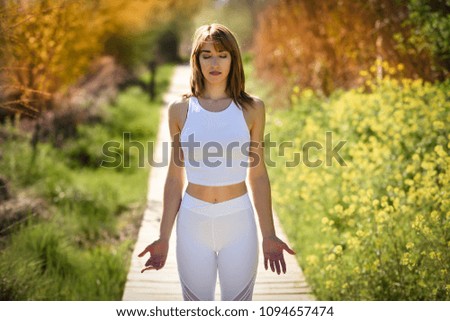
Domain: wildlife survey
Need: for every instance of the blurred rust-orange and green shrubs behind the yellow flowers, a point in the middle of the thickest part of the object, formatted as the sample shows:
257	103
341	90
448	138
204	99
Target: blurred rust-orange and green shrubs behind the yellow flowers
325	44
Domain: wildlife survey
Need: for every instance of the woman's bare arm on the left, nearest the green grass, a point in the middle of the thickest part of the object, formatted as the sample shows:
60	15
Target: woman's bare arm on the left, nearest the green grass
173	189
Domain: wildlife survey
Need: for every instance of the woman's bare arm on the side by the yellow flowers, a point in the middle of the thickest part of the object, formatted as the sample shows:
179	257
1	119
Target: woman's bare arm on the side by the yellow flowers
259	182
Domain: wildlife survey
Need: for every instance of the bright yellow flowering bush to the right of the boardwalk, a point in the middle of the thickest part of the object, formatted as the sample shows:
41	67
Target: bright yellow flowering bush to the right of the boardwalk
376	227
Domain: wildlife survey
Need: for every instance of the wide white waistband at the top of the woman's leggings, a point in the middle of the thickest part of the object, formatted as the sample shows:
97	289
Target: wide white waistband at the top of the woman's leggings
222	208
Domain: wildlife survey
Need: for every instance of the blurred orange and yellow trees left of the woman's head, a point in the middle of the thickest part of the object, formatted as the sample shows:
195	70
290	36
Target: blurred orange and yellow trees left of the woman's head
45	46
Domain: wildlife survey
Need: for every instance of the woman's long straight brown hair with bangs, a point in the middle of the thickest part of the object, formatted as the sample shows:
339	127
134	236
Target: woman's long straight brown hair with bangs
223	39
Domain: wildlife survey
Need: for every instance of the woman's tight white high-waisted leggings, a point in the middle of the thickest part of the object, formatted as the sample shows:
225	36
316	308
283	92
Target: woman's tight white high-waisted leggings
217	237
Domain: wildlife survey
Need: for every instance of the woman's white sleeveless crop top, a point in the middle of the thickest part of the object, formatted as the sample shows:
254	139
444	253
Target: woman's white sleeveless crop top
215	145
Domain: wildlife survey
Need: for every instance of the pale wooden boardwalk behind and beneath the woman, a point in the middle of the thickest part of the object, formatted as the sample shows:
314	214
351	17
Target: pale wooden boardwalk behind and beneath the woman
164	284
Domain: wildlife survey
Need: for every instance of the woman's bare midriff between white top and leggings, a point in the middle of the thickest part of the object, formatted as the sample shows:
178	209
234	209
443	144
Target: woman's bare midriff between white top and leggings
216	194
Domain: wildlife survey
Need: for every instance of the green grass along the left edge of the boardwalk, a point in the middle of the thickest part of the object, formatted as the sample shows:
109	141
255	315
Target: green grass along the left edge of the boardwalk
80	246
